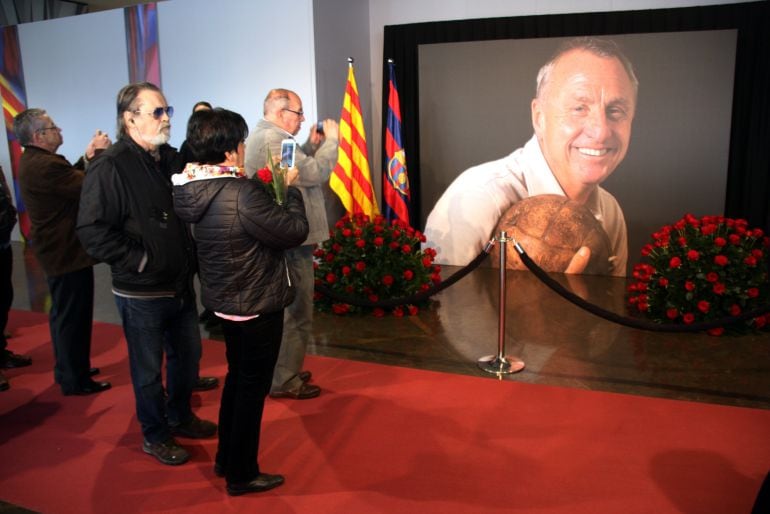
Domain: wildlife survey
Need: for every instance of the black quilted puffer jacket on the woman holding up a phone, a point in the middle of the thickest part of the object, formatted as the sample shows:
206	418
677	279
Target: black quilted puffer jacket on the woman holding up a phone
240	235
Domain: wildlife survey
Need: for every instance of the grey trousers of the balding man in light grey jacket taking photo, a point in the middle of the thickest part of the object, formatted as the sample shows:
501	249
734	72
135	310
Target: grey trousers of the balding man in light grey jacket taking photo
298	322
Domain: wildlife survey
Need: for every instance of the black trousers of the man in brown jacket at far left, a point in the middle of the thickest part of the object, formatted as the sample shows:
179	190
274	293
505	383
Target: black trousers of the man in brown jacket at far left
70	321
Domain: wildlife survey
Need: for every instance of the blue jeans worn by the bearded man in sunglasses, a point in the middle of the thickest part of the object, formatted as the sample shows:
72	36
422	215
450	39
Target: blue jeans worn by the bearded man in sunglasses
153	327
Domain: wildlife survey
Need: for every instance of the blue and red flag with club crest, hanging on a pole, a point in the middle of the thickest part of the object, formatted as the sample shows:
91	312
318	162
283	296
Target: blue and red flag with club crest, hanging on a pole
395	182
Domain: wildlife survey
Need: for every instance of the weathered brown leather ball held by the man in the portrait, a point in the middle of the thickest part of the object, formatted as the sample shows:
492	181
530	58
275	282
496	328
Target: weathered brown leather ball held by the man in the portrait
551	228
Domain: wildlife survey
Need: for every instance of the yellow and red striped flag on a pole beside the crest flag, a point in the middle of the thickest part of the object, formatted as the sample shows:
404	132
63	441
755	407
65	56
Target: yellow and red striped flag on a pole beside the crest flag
351	179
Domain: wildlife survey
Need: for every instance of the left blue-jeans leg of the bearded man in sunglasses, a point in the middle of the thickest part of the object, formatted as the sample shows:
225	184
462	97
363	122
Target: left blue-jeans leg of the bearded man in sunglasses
144	325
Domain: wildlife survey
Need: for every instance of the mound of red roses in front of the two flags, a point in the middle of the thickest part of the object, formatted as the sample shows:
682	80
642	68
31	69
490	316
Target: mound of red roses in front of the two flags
373	260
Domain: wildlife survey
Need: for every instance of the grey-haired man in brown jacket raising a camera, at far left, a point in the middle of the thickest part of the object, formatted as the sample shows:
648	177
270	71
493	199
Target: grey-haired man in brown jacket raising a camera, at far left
50	188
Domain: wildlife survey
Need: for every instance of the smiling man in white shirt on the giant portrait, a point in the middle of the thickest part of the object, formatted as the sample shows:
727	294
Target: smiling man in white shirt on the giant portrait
582	114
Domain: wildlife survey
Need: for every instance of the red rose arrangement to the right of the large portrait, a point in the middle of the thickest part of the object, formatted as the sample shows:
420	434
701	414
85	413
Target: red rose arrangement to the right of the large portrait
702	269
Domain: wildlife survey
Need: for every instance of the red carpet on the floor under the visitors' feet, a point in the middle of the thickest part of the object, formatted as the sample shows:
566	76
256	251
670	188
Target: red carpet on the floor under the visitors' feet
381	439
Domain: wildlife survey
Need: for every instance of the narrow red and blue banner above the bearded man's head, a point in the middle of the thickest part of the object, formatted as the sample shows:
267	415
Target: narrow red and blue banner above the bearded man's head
142	43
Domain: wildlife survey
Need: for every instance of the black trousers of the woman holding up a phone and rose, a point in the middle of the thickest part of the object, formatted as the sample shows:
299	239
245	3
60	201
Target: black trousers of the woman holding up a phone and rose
252	349
